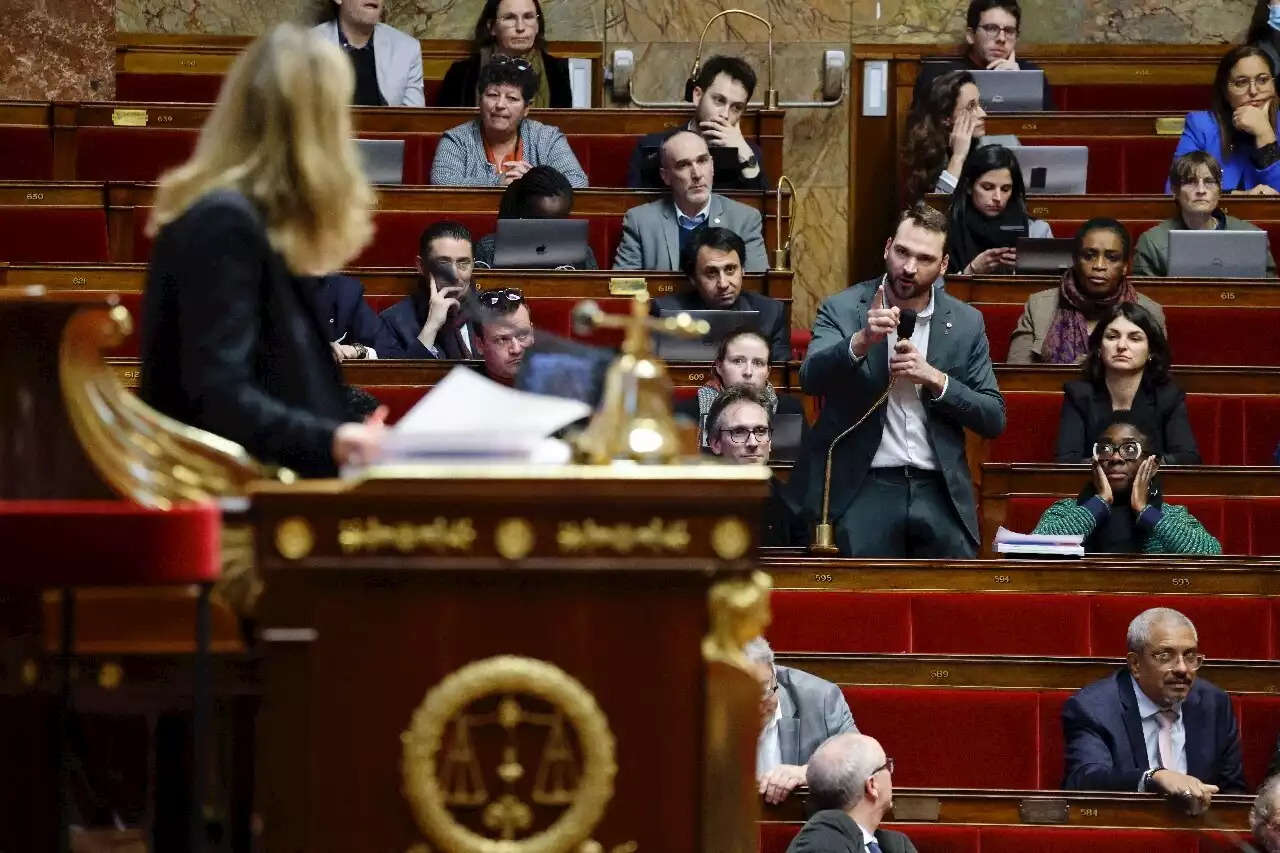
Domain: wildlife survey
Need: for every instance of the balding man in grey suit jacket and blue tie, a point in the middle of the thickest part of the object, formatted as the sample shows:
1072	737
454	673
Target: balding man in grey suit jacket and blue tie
655	236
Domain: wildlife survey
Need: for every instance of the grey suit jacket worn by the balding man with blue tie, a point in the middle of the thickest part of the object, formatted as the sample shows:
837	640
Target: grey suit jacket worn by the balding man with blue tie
651	235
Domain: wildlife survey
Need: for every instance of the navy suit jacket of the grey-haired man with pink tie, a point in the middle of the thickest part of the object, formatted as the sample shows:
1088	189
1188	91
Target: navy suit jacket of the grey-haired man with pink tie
1107	751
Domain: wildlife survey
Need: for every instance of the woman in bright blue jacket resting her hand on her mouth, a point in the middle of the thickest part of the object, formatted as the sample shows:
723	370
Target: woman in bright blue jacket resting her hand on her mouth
1241	129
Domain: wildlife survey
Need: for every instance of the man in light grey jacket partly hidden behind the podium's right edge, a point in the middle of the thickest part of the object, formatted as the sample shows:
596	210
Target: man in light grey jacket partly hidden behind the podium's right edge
798	713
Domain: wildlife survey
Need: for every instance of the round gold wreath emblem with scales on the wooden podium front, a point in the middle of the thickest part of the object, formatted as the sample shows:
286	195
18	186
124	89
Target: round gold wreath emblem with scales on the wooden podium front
500	713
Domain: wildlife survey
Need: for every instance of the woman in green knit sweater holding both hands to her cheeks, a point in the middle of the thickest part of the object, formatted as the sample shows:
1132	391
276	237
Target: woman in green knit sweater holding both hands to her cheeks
1122	510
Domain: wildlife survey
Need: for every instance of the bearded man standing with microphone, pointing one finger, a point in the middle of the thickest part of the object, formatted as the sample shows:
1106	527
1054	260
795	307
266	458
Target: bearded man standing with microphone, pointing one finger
885	469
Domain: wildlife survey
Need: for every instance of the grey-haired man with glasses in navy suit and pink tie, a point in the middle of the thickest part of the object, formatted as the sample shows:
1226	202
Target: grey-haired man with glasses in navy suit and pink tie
1154	727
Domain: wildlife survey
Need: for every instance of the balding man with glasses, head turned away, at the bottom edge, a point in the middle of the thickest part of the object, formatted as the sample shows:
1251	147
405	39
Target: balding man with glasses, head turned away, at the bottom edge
852	784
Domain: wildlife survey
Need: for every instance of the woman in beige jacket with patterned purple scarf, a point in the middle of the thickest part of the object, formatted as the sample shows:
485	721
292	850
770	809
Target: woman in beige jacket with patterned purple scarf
1057	323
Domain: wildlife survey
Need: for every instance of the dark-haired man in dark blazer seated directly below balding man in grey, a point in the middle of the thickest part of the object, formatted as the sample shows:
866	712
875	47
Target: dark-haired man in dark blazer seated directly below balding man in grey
714	266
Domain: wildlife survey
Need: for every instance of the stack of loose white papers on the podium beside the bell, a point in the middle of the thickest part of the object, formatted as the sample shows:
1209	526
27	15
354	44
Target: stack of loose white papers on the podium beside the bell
468	417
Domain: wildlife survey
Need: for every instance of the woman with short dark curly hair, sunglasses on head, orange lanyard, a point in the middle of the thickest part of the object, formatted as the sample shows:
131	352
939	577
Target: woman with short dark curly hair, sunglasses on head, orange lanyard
501	145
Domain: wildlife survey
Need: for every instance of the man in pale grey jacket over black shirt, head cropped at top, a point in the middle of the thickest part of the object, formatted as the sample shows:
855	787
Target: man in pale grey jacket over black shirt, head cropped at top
396	58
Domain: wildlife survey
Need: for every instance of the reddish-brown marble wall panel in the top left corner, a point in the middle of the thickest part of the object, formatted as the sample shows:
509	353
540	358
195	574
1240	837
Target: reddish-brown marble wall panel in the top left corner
58	49
